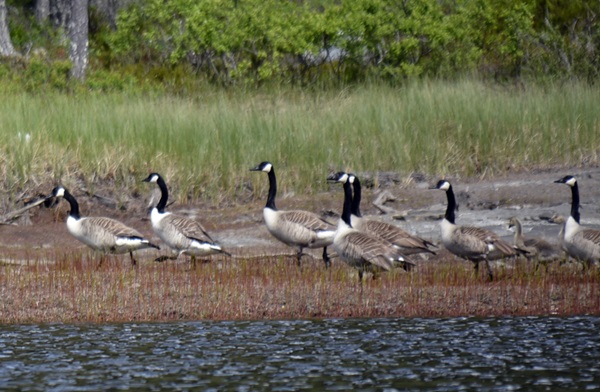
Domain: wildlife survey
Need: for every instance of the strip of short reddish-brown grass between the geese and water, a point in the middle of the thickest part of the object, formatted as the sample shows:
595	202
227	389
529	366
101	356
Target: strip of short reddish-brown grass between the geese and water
72	289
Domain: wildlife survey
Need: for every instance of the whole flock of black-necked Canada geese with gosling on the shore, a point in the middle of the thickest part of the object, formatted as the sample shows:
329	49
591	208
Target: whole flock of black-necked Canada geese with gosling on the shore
366	245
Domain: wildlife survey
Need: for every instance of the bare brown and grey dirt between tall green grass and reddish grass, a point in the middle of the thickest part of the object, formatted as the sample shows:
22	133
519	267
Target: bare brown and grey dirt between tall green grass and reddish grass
531	196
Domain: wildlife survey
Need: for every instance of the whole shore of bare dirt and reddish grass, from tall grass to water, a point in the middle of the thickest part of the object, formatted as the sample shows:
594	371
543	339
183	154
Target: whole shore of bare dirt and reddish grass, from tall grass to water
48	276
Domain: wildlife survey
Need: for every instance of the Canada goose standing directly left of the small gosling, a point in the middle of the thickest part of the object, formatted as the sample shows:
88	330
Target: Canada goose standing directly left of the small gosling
471	243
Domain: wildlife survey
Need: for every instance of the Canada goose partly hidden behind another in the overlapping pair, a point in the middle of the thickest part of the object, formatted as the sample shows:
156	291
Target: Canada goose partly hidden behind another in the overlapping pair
408	244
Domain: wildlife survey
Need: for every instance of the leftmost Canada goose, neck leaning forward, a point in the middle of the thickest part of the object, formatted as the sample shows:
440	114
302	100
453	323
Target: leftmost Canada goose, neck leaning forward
101	234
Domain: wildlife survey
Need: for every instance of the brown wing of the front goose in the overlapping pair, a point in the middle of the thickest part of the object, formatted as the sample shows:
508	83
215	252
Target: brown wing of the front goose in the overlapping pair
370	249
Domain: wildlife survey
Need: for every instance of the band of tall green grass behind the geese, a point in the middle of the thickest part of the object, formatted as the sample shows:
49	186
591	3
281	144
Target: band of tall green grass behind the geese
205	145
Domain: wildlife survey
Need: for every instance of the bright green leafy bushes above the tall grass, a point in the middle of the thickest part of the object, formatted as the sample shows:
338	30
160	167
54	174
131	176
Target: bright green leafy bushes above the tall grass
338	41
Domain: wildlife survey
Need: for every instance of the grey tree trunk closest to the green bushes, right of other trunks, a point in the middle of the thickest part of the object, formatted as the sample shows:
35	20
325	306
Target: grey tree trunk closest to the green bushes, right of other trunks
78	35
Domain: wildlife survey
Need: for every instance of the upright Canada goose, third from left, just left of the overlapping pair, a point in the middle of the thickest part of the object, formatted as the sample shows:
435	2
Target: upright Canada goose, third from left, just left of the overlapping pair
301	229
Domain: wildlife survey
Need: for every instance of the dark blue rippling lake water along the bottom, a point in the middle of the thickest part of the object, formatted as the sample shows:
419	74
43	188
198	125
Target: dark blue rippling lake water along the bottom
499	354
